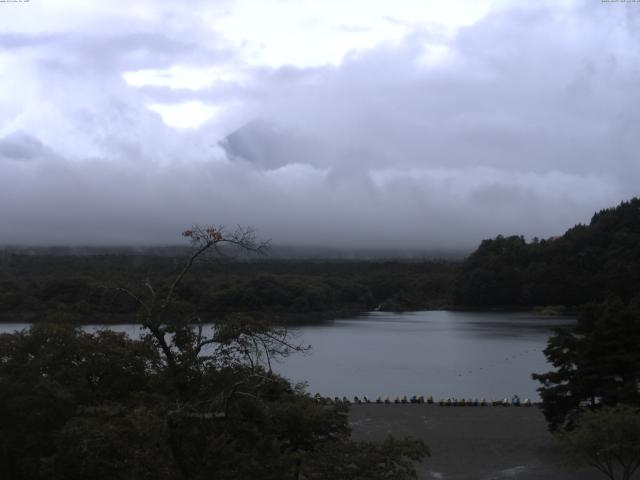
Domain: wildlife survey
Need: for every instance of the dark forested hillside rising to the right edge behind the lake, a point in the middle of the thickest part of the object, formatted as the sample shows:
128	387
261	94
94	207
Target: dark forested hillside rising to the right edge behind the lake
584	265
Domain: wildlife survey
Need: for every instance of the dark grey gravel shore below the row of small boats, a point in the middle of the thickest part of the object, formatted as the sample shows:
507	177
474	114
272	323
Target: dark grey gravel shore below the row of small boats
479	443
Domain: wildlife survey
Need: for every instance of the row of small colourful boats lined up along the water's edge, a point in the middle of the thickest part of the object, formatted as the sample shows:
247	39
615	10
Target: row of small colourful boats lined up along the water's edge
445	402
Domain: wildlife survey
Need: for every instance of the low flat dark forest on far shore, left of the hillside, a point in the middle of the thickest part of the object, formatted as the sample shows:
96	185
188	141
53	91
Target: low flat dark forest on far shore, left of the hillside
35	286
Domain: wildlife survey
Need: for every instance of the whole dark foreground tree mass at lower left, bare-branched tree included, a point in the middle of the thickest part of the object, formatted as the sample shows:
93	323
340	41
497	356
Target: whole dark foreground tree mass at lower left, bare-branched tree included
177	404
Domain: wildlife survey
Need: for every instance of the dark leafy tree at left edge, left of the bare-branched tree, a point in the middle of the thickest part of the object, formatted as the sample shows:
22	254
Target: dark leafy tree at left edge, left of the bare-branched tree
47	373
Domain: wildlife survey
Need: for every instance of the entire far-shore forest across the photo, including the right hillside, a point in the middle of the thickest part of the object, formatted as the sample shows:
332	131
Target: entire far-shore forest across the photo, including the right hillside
586	264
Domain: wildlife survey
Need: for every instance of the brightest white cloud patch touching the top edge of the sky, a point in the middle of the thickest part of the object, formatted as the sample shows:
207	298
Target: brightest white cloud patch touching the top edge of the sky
310	33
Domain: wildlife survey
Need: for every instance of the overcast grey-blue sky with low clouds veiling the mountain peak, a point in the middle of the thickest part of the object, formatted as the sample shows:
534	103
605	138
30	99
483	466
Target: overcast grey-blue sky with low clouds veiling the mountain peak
411	123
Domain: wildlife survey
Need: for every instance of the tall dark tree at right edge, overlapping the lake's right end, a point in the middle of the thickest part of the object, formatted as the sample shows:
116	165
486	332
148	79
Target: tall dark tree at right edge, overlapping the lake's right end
597	362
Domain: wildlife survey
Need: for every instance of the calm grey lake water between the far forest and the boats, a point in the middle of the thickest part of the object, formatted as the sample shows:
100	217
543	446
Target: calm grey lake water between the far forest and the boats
439	353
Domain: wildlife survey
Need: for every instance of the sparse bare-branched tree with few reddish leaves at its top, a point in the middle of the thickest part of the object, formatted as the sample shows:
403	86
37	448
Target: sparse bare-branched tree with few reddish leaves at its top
183	342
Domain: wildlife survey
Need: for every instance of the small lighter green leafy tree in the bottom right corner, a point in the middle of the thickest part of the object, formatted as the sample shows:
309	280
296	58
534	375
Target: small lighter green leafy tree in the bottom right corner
607	439
